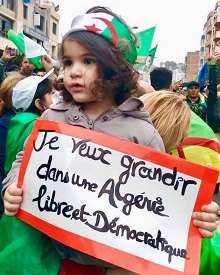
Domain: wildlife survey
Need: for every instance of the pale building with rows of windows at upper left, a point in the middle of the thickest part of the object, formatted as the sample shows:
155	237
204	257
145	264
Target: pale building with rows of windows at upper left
37	20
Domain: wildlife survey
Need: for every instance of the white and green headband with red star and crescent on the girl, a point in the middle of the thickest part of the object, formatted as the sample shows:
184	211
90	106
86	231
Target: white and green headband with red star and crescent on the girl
108	27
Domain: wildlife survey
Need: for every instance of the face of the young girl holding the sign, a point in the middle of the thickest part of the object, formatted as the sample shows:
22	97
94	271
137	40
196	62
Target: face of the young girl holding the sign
80	72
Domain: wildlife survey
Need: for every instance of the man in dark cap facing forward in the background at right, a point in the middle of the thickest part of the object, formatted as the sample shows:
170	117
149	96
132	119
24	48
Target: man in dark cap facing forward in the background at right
194	100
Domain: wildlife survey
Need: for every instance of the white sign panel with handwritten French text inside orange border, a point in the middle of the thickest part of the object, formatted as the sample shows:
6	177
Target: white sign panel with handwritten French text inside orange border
119	200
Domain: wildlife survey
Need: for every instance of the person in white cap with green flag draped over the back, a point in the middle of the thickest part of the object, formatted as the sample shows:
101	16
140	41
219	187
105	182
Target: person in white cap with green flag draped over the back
30	98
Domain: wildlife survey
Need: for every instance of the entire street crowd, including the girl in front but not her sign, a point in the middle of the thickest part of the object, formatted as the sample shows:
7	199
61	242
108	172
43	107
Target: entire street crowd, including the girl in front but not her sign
97	88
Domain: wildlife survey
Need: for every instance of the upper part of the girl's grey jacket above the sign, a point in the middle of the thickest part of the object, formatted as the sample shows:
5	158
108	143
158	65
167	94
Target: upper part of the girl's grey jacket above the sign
126	122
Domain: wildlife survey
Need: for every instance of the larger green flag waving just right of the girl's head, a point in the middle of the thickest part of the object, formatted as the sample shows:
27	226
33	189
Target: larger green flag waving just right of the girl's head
145	39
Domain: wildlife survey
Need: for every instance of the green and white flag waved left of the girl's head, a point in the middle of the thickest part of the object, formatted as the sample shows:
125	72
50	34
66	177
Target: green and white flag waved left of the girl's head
29	48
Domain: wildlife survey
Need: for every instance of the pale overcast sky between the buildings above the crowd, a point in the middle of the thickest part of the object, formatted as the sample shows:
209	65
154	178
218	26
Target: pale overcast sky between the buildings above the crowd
179	23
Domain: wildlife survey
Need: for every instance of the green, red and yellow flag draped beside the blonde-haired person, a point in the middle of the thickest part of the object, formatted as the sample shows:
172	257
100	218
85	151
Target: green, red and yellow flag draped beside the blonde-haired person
201	146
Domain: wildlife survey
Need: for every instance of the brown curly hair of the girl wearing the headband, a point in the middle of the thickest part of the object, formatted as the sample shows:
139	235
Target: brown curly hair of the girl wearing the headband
115	73
